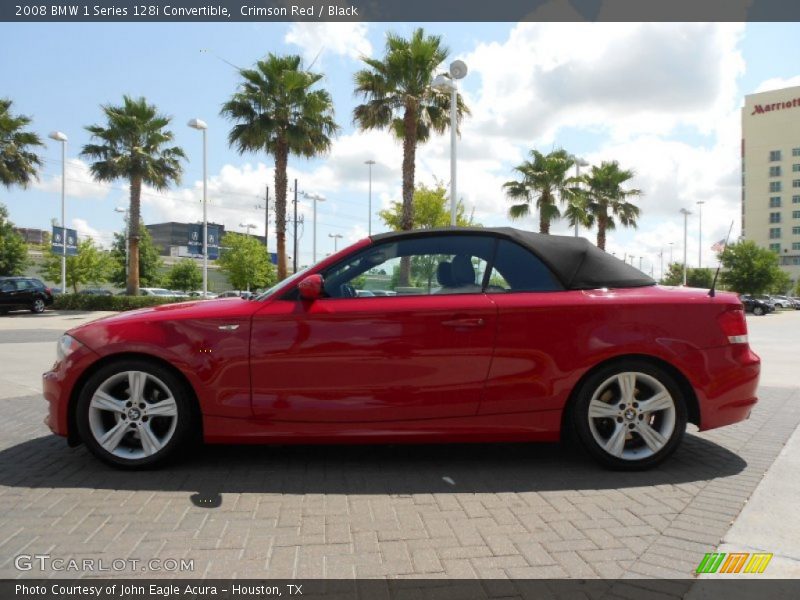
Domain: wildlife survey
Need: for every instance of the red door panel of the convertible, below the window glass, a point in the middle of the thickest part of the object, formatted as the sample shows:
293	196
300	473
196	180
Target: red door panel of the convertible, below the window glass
372	358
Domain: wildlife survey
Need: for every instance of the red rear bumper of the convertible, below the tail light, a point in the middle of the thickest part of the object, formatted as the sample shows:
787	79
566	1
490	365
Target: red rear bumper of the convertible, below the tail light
730	387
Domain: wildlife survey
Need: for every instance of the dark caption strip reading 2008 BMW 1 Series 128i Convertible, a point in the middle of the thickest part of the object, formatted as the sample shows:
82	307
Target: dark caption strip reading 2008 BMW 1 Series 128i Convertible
399	10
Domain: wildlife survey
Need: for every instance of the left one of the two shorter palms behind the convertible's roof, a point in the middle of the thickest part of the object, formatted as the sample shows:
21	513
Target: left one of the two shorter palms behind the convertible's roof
543	181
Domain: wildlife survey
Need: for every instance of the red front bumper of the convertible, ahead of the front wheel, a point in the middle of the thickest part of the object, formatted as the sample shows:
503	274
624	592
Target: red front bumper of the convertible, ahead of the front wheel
58	384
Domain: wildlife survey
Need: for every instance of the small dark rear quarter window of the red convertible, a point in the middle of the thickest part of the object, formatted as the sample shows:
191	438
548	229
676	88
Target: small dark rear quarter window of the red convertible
516	269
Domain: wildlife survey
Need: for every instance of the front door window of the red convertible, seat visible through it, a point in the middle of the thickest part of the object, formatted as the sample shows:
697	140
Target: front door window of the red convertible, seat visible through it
444	264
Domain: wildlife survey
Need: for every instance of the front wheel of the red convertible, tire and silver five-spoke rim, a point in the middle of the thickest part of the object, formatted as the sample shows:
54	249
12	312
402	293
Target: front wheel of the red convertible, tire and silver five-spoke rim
130	434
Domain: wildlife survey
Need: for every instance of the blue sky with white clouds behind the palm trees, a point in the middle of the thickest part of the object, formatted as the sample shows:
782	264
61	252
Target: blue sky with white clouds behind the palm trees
661	98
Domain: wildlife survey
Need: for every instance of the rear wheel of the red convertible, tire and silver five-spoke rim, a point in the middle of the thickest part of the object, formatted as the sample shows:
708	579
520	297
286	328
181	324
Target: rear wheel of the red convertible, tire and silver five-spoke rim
622	434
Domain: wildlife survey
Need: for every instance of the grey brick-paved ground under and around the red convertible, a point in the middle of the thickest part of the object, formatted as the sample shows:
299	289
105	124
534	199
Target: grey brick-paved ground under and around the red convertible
499	510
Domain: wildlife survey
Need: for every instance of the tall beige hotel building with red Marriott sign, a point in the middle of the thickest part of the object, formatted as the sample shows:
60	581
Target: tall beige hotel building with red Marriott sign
771	174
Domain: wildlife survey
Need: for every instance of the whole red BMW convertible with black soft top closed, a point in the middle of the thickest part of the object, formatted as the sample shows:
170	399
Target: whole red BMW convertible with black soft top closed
470	335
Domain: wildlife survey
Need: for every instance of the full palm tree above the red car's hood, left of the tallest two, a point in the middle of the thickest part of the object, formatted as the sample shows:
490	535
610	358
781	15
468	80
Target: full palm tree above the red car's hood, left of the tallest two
133	146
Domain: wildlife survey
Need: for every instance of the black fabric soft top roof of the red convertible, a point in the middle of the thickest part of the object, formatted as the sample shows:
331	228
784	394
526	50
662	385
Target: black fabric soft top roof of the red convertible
577	263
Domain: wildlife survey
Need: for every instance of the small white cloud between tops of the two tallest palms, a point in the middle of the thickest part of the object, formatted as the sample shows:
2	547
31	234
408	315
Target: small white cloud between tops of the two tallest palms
318	39
